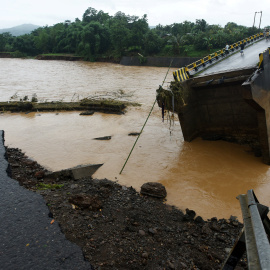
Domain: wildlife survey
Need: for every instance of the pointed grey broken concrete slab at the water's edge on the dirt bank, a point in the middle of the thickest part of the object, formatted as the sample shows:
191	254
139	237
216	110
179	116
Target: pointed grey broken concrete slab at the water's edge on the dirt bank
80	171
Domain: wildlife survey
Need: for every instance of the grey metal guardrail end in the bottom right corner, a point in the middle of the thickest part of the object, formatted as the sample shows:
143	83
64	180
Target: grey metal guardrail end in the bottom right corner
254	237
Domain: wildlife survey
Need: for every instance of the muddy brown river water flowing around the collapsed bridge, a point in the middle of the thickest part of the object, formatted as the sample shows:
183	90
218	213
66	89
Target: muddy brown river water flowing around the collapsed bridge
202	175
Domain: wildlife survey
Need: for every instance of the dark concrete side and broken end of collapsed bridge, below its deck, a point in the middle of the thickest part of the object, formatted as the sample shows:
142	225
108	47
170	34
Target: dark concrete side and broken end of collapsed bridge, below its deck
233	105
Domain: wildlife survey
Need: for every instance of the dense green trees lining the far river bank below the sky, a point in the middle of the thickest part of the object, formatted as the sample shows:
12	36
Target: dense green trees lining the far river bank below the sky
100	35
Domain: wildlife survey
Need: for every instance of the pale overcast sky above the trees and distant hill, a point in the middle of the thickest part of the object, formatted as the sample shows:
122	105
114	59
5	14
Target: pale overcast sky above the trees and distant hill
164	12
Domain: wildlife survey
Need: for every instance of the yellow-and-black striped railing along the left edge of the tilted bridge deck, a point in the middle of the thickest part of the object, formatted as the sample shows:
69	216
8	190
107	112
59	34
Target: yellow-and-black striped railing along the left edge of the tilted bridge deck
195	66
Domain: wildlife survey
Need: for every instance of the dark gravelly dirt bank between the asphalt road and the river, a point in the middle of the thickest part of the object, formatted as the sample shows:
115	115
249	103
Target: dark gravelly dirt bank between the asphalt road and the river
117	228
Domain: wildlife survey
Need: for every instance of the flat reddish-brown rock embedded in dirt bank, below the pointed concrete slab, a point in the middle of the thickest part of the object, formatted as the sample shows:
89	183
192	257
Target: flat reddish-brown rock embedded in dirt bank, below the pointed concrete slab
83	201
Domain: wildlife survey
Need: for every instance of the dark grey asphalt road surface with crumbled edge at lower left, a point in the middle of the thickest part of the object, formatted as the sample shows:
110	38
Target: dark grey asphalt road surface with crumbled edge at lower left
28	240
